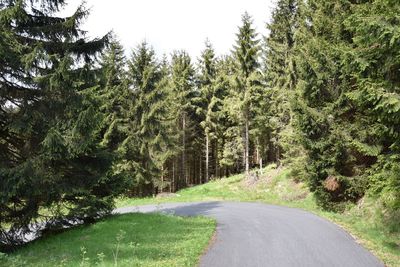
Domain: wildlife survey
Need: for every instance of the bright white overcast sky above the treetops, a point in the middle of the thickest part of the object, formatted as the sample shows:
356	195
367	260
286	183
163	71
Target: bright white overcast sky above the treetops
170	25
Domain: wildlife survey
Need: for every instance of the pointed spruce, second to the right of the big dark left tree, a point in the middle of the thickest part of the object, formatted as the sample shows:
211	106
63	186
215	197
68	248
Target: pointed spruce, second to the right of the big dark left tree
150	128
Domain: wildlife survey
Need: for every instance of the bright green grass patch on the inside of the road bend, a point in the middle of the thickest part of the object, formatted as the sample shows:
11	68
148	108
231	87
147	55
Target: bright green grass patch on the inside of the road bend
121	240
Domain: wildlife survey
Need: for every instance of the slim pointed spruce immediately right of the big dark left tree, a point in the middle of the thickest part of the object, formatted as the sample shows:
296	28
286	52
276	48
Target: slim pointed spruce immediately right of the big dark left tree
115	102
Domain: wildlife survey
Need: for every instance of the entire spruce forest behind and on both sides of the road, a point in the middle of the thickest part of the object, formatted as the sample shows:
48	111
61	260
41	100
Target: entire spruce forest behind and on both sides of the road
83	121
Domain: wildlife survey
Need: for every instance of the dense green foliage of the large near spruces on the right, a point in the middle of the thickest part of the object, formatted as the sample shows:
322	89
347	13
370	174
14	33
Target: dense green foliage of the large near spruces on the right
346	101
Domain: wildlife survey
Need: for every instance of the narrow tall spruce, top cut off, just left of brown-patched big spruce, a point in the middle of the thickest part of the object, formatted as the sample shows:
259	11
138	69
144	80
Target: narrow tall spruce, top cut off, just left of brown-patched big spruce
280	76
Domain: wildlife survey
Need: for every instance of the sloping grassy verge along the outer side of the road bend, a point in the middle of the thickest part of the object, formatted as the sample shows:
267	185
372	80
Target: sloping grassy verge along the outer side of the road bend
276	187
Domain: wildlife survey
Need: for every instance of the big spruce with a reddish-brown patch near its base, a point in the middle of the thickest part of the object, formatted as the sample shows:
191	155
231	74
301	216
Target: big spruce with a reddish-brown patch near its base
323	112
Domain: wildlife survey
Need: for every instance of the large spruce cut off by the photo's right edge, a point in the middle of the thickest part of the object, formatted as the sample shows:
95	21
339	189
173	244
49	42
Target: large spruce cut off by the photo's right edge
372	66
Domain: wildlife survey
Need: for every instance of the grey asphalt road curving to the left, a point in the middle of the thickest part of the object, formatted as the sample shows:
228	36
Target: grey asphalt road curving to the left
255	234
